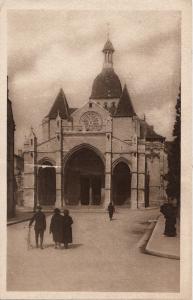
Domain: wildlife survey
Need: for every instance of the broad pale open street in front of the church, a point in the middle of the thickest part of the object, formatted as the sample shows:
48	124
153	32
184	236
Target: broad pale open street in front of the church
104	257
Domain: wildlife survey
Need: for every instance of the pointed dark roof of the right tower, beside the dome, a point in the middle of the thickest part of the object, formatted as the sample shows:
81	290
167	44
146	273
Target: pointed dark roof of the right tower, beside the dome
125	106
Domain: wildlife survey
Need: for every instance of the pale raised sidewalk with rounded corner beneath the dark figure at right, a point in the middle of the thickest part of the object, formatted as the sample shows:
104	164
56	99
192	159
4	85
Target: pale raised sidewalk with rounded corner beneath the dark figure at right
161	245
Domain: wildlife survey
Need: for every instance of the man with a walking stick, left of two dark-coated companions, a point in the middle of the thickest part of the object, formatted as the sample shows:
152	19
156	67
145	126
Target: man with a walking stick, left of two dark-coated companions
40	225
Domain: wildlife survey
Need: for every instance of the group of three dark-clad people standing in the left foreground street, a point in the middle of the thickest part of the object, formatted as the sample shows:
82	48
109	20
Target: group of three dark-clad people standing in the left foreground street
60	227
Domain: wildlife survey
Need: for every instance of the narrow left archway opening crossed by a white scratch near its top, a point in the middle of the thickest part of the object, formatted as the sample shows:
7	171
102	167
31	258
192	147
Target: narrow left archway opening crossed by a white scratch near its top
47	184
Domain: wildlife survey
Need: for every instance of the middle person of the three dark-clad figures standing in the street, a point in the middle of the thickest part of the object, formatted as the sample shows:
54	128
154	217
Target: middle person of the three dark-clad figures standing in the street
56	227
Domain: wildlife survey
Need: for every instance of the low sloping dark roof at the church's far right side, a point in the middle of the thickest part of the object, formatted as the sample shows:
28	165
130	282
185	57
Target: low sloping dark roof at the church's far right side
148	132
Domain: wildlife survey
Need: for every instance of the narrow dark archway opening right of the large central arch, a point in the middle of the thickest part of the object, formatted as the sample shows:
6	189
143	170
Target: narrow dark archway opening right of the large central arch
121	184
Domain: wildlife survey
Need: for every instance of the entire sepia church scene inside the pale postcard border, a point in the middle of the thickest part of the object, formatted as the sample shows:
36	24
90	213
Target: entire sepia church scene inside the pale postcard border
94	104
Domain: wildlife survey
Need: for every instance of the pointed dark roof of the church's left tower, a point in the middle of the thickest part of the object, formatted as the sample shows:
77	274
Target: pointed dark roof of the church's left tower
60	106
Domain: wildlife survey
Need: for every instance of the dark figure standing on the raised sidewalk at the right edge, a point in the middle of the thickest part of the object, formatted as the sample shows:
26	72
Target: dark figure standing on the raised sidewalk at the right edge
170	213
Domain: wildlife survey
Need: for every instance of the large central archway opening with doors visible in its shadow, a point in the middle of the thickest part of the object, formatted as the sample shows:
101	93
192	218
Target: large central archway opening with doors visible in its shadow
84	178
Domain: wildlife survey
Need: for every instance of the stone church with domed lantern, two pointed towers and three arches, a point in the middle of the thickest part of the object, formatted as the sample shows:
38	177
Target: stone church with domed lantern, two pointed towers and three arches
95	154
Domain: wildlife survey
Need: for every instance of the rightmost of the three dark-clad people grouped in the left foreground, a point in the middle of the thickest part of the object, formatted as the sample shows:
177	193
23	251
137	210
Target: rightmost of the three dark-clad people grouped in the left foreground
67	229
